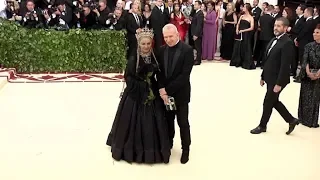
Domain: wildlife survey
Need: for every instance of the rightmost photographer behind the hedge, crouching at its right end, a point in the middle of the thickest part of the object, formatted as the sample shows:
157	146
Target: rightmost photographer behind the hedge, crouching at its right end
116	21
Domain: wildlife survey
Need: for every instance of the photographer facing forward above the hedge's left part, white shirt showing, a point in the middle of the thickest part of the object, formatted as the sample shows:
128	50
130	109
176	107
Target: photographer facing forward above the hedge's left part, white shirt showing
33	18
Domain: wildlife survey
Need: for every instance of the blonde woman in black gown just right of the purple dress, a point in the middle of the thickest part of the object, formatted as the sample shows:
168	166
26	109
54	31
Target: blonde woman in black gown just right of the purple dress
228	31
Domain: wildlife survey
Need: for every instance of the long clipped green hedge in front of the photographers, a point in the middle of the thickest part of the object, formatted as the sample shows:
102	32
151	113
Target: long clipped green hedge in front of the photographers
39	50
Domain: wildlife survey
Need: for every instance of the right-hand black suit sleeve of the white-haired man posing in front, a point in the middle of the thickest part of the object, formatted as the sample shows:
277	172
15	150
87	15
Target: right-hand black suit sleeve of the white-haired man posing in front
183	78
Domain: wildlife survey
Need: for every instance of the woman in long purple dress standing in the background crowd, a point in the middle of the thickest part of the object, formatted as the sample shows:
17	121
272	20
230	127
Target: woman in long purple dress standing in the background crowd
209	39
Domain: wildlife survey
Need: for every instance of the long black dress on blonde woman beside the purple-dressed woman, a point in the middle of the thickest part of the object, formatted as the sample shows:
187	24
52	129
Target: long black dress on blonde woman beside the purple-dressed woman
227	41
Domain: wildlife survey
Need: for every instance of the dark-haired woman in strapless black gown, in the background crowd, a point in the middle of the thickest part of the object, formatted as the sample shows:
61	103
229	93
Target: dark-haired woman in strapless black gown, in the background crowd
242	50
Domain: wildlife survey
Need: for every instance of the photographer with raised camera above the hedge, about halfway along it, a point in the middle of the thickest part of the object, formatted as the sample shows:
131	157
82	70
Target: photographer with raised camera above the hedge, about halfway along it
59	16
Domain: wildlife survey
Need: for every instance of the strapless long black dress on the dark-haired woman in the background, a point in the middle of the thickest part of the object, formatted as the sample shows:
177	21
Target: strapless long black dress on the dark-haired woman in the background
242	50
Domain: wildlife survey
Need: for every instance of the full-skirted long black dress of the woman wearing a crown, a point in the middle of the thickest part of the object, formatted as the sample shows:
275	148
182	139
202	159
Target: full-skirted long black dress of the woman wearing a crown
139	132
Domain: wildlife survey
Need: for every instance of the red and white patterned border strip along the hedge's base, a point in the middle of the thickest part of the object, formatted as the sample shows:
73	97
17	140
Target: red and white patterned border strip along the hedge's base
13	77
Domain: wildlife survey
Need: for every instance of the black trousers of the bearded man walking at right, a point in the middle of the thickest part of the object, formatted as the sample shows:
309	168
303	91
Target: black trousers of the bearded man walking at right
271	101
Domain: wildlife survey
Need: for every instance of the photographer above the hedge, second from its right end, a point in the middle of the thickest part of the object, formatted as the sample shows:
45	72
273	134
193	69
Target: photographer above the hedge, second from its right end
102	12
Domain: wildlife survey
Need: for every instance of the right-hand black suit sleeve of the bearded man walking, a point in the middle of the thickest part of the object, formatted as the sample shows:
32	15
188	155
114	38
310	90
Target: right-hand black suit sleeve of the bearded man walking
286	58
